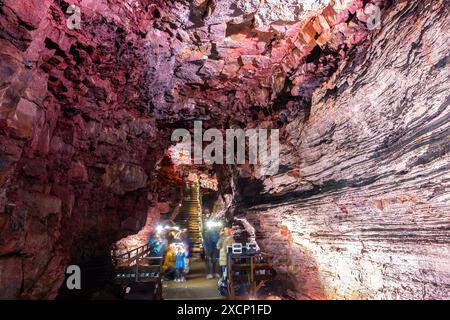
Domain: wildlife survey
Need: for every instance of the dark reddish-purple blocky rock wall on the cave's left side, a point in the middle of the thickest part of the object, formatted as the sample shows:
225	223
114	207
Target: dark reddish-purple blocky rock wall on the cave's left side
78	143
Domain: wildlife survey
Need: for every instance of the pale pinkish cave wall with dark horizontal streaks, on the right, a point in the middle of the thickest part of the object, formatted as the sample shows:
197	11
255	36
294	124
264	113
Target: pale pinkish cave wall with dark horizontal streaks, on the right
360	208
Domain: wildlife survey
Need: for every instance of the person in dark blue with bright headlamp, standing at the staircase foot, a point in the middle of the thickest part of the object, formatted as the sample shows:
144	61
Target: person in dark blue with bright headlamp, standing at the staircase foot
210	238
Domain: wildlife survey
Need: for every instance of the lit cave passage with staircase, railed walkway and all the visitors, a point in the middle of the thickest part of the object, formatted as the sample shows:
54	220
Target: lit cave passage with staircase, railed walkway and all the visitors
193	253
